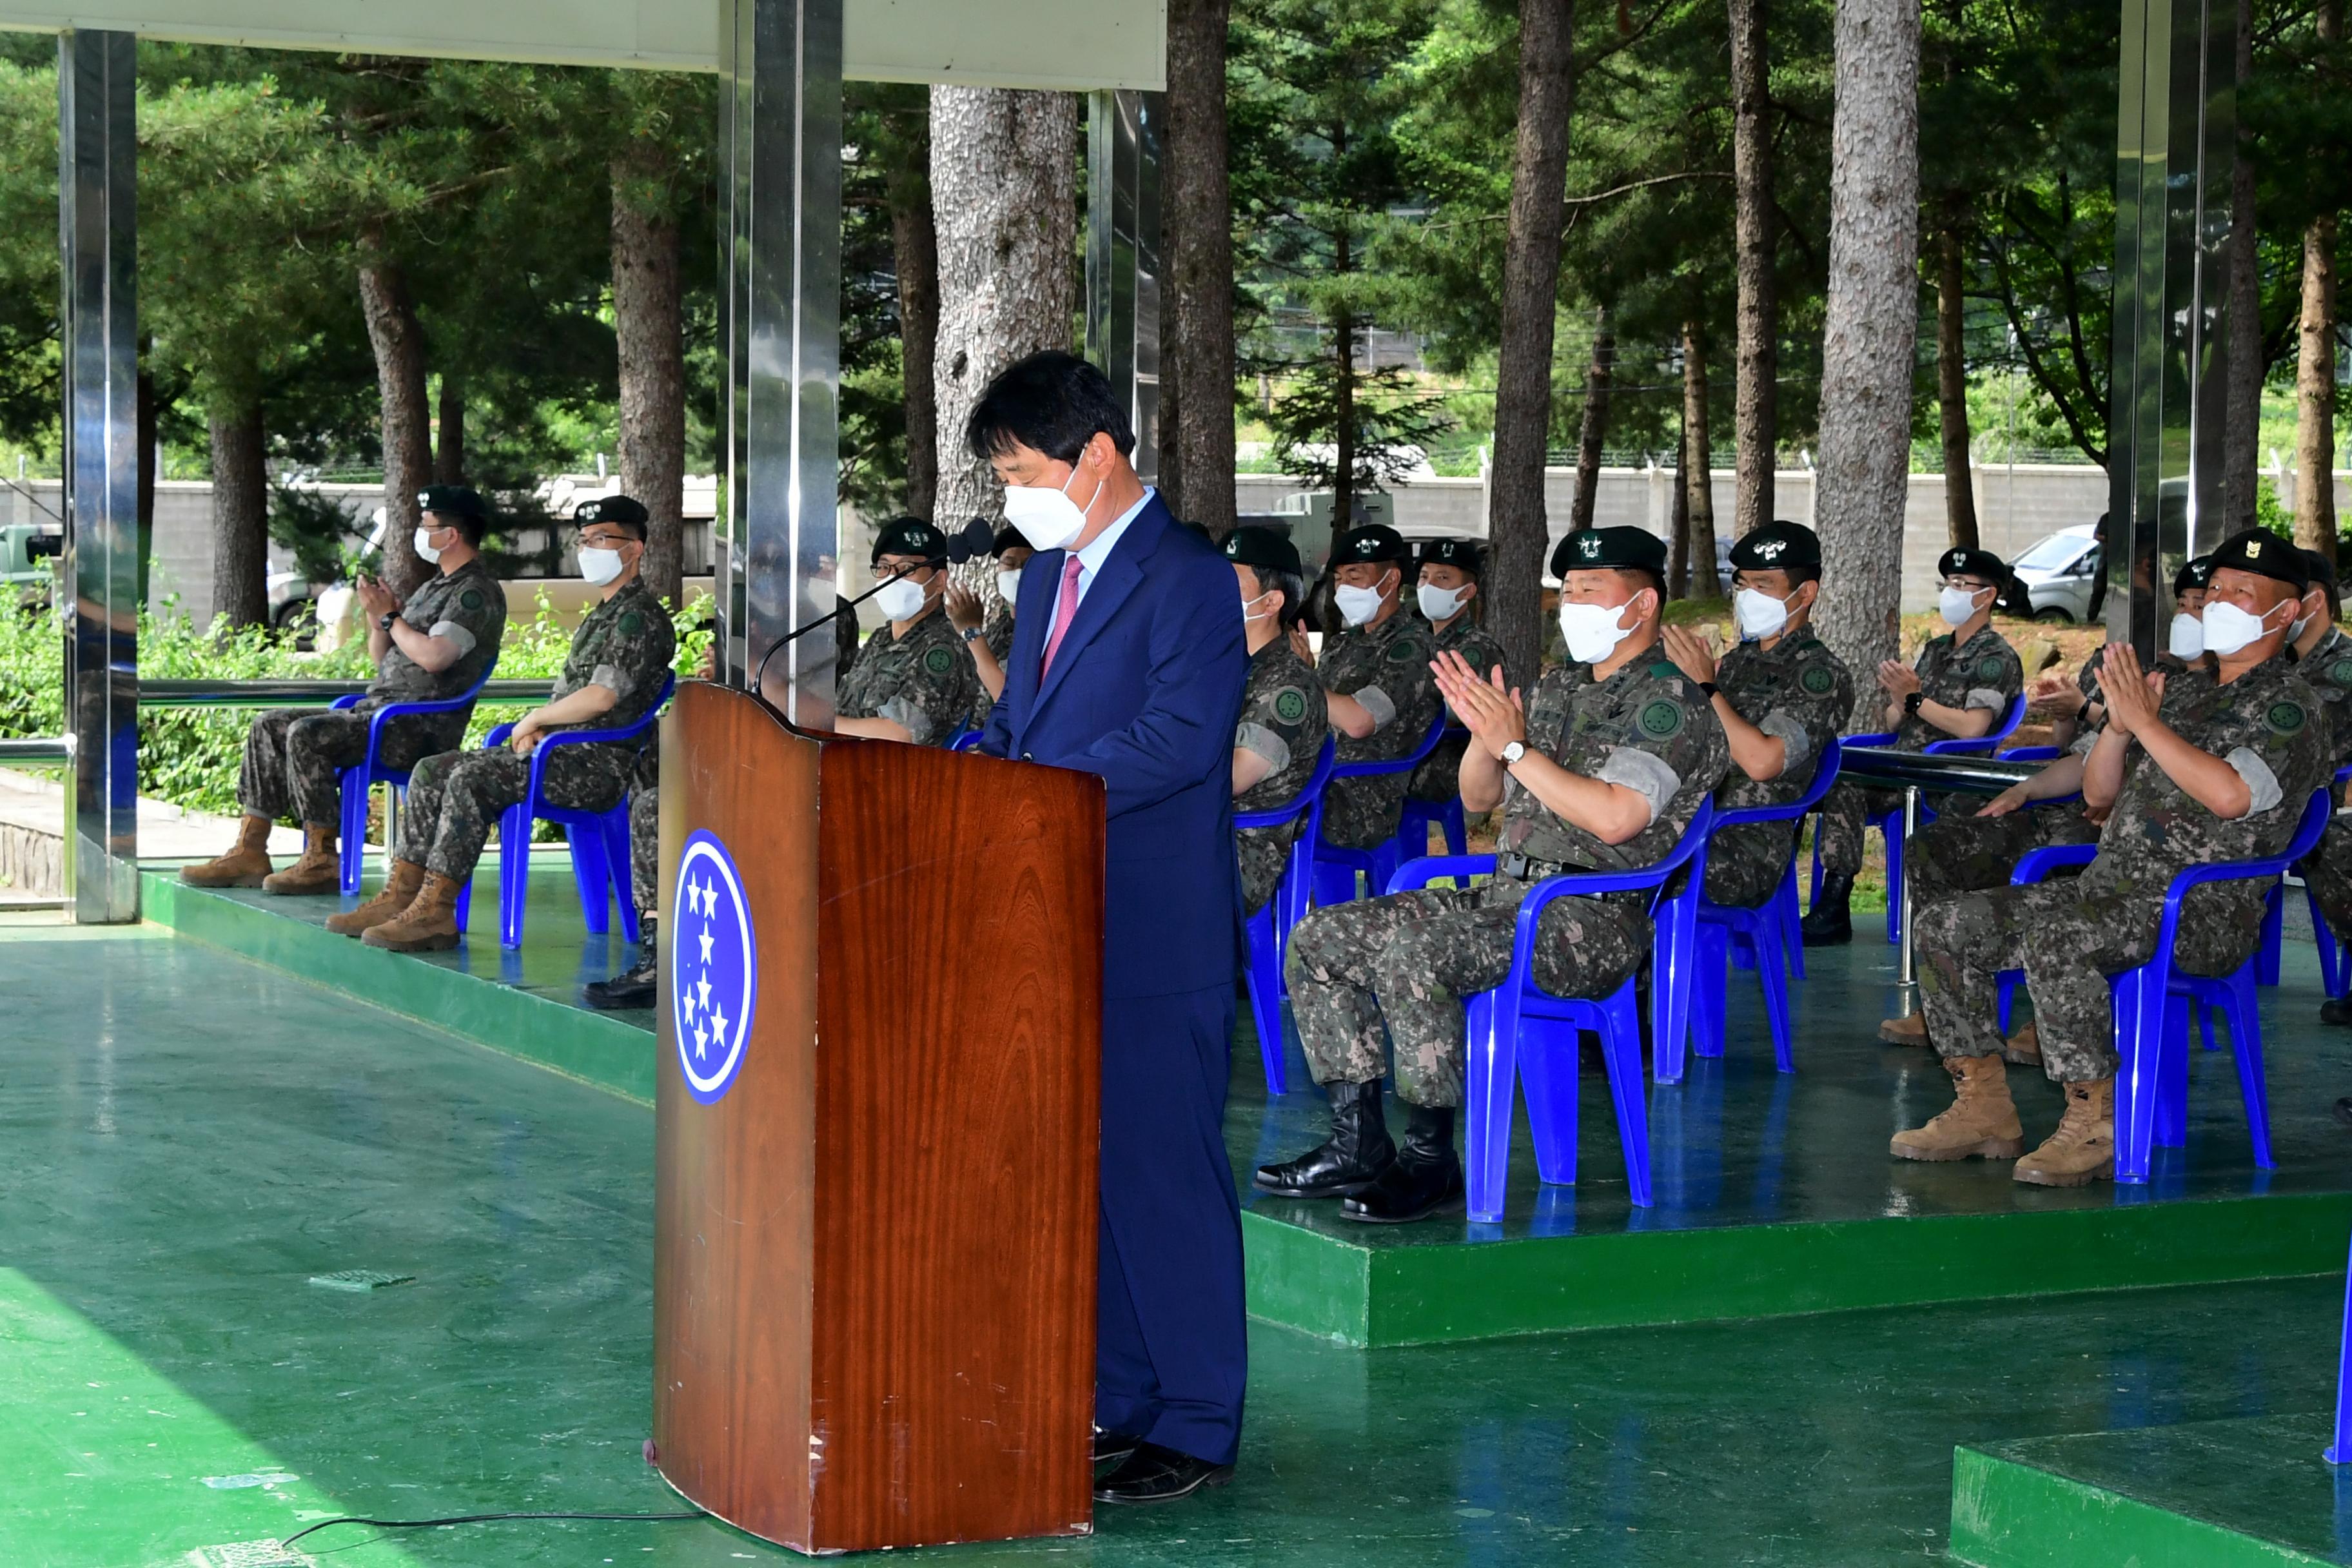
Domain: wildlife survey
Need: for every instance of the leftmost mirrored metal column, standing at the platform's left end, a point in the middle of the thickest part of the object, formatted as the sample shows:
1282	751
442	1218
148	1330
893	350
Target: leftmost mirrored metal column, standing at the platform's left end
98	161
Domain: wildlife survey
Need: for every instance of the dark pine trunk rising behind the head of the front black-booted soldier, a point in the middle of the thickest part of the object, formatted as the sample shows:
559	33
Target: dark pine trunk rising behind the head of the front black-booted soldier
1518	535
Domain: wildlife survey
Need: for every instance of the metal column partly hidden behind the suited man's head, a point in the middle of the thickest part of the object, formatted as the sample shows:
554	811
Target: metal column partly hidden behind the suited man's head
1123	257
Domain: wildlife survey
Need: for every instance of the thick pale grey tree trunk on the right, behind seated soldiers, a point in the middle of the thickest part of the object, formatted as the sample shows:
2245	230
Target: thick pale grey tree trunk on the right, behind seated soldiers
1871	328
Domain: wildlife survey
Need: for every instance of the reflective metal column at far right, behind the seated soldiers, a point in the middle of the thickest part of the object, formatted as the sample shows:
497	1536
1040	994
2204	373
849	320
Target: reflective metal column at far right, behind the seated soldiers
2177	147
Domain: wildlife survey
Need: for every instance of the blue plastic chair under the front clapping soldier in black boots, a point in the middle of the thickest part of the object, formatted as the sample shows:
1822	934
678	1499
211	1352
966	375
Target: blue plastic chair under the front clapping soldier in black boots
1497	1019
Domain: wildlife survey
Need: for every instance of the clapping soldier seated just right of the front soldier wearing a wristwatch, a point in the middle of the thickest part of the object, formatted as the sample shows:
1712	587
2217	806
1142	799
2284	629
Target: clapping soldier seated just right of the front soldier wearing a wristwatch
1782	697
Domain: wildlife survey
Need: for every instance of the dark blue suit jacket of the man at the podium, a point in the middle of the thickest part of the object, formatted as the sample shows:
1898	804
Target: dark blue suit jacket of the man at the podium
1147	692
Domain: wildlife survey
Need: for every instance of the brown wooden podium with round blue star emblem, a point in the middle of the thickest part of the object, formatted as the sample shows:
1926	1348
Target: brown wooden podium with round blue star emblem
874	1247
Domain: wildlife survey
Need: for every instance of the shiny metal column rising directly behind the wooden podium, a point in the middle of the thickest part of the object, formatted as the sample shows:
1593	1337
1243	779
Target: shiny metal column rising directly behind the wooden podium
782	304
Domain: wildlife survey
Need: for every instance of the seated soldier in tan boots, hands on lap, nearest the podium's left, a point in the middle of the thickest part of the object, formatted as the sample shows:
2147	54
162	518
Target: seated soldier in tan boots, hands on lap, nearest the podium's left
613	676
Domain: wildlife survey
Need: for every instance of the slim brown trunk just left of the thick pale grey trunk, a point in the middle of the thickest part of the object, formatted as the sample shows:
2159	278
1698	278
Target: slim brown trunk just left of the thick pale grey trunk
1756	396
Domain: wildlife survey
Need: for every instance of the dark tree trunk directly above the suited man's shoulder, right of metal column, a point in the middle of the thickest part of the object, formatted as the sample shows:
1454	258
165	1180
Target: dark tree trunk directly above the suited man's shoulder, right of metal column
1196	248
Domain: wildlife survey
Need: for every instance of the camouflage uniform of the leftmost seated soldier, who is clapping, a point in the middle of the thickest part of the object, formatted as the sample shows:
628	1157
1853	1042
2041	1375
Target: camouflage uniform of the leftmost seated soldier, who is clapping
293	756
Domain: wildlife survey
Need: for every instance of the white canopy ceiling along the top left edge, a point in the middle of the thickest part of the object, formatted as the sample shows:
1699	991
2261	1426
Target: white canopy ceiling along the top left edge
980	43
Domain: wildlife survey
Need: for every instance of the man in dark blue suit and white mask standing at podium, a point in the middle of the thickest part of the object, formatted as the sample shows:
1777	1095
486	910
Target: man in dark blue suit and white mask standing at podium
1128	664
